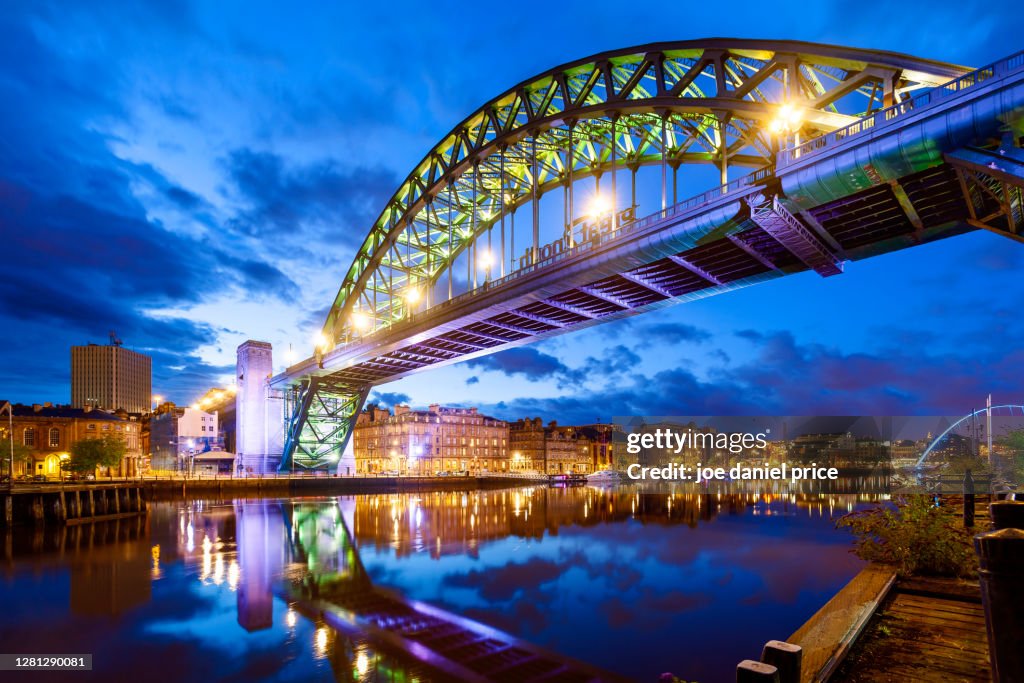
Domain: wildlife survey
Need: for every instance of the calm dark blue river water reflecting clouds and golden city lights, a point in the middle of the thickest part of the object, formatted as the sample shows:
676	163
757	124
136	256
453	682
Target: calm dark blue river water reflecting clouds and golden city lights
635	583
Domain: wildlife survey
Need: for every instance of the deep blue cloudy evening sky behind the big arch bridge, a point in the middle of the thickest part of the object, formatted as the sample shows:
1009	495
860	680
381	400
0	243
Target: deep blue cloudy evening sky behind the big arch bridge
192	176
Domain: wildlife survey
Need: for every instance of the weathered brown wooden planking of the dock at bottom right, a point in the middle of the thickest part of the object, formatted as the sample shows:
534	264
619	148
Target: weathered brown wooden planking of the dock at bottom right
927	630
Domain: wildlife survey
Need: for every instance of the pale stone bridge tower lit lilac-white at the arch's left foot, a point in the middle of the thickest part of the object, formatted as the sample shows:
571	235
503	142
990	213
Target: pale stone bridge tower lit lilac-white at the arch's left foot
260	414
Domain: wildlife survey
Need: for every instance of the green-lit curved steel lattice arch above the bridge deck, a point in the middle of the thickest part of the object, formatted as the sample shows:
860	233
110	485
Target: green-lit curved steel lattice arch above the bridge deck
699	102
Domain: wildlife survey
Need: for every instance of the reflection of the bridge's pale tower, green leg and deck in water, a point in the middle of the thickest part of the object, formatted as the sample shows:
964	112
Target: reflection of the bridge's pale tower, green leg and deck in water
325	579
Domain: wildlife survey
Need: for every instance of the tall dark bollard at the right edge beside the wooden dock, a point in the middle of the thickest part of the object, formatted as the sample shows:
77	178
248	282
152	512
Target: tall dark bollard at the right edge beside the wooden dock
1001	558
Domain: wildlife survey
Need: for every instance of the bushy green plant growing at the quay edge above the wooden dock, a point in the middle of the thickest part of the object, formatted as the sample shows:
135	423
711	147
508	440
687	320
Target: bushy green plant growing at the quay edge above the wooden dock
915	537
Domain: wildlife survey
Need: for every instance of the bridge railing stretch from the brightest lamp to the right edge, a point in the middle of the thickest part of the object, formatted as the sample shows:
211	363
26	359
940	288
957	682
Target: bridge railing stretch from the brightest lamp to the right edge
901	110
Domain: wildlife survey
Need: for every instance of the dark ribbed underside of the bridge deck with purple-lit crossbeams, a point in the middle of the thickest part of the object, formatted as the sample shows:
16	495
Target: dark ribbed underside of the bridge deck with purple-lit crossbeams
866	224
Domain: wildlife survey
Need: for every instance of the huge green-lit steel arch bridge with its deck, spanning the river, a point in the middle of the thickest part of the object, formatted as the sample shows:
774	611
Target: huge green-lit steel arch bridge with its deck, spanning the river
856	153
